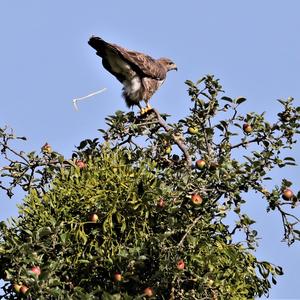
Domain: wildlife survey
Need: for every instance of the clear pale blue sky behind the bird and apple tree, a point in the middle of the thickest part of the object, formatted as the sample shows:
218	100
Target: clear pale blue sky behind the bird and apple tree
252	46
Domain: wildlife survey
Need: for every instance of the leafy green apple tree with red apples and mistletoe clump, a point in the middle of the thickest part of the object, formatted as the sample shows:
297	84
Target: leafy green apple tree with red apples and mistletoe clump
144	213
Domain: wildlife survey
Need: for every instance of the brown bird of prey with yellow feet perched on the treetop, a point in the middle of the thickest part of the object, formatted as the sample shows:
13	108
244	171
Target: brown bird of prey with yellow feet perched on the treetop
140	74
